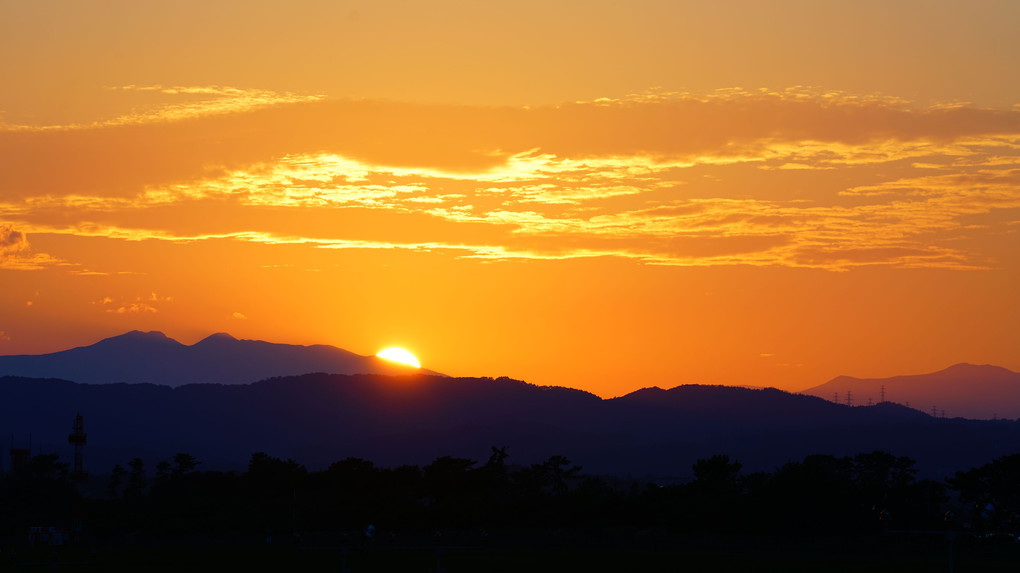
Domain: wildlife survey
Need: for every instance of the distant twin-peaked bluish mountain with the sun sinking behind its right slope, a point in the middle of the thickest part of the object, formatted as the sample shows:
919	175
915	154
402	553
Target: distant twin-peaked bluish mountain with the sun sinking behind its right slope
155	358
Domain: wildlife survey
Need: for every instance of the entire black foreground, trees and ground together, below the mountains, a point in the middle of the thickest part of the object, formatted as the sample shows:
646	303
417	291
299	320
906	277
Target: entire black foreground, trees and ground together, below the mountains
865	513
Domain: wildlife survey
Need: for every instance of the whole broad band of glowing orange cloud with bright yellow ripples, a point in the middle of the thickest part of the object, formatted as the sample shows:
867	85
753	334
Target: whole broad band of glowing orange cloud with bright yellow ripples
799	178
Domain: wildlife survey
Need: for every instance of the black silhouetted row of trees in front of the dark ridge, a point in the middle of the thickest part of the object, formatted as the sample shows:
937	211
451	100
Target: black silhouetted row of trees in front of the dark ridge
821	495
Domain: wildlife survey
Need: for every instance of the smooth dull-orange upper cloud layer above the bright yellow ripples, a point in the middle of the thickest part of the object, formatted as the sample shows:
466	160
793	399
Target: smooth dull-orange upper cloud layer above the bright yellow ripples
455	140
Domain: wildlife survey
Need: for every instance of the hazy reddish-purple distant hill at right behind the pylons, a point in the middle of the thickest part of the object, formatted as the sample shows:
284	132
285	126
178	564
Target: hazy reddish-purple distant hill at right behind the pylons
965	391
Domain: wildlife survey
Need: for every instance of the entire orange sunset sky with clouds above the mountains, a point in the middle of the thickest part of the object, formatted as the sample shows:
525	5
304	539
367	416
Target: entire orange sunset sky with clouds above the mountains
592	194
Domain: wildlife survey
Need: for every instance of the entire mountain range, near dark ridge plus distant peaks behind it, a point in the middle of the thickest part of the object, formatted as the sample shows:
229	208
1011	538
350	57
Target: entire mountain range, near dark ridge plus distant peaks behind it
144	395
